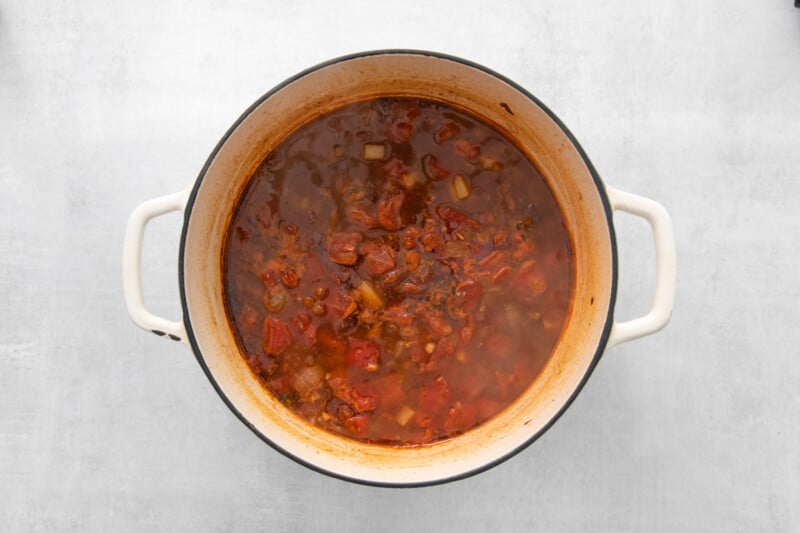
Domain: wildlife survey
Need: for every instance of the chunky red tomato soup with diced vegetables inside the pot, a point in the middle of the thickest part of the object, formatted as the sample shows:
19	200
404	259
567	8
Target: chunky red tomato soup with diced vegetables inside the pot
397	272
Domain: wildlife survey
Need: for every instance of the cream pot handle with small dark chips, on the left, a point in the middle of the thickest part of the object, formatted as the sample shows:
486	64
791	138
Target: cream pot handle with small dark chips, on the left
132	264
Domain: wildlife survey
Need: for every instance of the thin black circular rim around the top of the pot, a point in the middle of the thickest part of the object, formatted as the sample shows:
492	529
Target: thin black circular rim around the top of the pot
614	270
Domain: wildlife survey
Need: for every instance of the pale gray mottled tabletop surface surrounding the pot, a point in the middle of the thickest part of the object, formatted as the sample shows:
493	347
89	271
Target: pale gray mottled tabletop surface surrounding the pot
695	104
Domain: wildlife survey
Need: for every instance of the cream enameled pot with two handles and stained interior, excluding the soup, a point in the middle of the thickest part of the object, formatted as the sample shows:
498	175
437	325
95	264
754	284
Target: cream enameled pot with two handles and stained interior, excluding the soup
587	205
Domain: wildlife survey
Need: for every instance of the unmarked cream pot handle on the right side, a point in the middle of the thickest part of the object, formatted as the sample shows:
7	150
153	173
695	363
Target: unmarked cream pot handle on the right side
664	298
